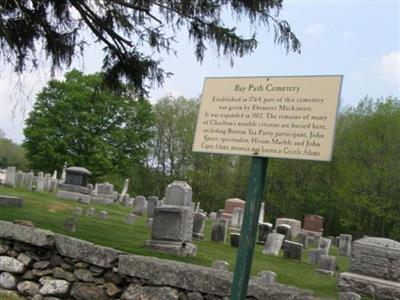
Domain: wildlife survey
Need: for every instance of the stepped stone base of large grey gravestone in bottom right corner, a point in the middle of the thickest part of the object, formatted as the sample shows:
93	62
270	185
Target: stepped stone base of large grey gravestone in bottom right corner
369	286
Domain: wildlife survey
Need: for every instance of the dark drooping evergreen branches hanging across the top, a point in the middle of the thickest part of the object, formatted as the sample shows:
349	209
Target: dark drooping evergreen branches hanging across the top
127	27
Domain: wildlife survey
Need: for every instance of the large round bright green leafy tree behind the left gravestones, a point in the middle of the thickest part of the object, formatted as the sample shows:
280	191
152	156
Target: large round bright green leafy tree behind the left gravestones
78	122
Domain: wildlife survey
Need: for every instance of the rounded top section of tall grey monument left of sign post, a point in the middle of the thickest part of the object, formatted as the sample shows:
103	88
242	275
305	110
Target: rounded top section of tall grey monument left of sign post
178	193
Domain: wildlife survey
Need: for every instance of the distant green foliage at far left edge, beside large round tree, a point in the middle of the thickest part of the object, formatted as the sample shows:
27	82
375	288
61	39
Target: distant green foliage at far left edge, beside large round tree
11	154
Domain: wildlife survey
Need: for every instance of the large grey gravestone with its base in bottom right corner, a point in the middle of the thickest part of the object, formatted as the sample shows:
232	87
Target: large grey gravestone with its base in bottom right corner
374	269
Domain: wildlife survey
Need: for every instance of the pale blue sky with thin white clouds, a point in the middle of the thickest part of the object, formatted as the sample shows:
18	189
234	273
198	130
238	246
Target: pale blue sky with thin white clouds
357	39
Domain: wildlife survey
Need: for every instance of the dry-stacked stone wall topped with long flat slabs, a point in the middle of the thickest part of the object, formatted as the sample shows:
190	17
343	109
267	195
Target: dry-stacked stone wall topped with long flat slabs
39	264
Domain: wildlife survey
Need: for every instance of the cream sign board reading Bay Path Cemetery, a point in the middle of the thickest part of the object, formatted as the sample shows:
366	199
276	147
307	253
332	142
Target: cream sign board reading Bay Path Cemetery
284	117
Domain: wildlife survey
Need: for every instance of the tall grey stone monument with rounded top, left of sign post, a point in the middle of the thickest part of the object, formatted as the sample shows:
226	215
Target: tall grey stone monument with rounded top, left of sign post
172	227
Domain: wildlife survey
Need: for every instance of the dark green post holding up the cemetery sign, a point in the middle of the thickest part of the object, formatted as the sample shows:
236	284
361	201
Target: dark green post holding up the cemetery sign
255	191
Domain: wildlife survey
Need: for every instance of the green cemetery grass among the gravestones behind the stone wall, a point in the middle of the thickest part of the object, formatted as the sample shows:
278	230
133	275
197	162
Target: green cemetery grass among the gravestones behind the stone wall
49	212
